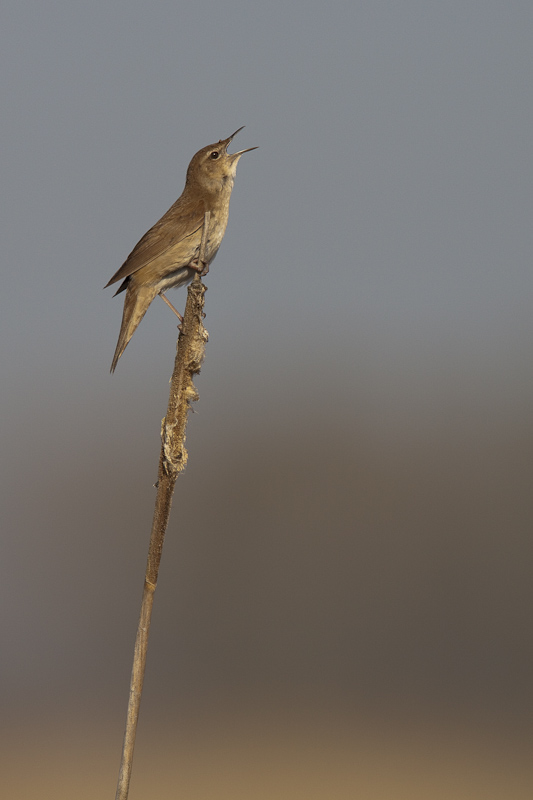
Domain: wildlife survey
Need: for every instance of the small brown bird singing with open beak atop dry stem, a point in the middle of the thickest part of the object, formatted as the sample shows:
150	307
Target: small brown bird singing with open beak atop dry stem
167	256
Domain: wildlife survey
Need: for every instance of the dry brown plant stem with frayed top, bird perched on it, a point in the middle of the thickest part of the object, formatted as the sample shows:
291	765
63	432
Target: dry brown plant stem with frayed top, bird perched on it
172	461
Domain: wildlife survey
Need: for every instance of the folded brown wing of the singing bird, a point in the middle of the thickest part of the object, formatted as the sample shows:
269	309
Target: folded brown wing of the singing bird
183	219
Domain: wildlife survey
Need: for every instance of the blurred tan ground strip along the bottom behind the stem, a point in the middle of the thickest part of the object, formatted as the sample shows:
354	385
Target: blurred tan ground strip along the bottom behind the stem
264	755
